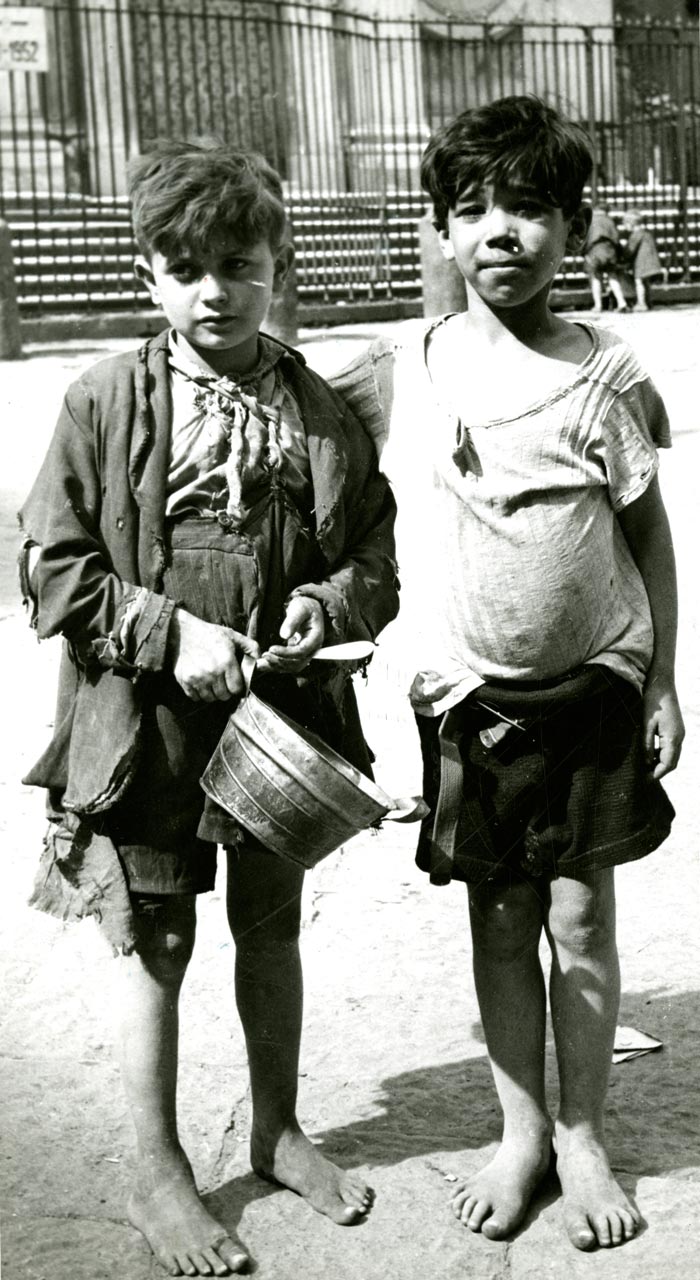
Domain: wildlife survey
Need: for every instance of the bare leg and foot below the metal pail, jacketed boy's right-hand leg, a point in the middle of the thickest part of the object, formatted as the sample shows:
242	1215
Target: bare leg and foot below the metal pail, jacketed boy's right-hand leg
264	902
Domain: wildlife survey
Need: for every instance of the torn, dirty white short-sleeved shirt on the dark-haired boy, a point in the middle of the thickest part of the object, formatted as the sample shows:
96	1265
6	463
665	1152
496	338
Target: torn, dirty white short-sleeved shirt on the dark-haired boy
514	565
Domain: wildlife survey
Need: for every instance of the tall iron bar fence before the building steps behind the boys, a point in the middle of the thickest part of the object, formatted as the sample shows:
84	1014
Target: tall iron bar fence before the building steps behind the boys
340	103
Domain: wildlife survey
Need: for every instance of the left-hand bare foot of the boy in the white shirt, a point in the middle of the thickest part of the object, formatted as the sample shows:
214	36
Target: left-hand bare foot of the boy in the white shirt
496	1200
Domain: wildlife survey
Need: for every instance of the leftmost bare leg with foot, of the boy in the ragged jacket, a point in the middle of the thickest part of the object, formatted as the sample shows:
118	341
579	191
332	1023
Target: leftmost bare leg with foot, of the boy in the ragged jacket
164	1206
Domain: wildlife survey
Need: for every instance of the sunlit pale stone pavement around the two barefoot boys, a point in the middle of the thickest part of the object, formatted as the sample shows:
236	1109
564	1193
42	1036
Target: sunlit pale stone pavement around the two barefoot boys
395	1076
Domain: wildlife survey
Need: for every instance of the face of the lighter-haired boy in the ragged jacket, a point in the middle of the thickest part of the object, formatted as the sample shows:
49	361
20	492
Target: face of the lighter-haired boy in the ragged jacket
217	300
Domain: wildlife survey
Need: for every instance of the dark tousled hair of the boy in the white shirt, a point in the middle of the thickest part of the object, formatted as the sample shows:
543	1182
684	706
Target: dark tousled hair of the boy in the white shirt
515	139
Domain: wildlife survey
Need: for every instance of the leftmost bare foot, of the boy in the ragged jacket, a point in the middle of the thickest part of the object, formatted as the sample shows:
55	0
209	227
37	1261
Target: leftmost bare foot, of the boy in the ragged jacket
184	1237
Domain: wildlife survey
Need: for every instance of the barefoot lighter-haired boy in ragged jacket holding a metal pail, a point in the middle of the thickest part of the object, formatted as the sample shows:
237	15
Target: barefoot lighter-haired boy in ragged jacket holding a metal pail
204	499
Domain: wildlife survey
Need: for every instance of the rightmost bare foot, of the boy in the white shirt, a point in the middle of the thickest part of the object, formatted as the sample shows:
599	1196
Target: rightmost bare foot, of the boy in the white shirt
597	1212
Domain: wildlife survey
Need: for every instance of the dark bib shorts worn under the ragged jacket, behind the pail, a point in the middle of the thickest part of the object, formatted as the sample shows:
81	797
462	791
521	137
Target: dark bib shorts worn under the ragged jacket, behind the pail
166	839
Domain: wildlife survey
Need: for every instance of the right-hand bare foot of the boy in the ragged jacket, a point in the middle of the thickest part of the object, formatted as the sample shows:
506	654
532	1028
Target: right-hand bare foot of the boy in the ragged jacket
298	1164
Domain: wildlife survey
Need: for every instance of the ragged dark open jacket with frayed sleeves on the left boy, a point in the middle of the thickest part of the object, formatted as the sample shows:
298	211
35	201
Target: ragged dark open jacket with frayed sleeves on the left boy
98	511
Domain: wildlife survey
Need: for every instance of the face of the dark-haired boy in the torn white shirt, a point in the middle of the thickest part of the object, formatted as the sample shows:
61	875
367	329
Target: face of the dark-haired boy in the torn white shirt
509	243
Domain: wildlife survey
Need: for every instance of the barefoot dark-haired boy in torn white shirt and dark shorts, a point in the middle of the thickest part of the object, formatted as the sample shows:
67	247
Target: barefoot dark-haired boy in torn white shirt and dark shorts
539	609
